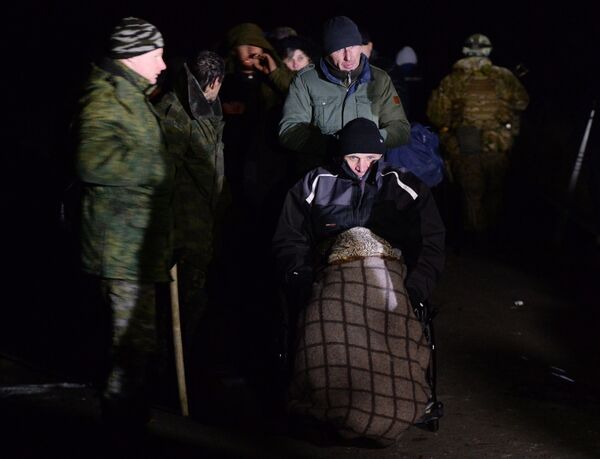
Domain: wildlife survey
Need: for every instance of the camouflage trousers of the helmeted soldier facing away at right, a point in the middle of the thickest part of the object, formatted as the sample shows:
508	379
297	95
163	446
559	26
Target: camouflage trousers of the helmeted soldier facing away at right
481	179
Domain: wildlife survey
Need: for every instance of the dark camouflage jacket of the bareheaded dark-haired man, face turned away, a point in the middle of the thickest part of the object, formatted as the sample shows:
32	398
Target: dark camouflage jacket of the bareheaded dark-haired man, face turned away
194	132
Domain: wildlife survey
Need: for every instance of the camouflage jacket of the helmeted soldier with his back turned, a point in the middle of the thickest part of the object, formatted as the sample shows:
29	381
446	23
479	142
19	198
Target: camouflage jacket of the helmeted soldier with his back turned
479	94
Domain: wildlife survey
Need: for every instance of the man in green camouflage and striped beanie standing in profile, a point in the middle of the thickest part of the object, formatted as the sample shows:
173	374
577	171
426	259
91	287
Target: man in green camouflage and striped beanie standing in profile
127	183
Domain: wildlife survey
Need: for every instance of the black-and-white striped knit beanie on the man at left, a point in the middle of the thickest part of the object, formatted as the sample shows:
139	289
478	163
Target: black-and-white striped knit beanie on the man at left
134	36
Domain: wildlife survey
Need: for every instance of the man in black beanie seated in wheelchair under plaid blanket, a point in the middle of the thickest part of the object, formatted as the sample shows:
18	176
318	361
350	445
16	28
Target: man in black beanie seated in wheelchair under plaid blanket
360	245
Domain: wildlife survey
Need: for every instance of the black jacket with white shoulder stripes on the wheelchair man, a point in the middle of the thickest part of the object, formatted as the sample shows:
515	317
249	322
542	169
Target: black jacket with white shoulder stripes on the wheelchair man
391	202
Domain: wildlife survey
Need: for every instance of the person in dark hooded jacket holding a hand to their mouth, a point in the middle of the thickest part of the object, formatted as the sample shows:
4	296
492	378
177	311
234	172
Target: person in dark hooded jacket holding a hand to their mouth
253	94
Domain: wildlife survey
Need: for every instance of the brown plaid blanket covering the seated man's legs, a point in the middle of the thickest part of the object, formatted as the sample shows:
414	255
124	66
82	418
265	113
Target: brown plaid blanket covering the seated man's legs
361	355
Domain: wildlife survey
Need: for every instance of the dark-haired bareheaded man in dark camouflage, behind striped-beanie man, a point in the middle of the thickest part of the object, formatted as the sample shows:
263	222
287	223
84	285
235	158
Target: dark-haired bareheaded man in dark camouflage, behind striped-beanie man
193	123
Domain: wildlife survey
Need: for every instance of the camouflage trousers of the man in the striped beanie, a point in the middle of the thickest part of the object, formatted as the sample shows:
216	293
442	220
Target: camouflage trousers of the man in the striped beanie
132	306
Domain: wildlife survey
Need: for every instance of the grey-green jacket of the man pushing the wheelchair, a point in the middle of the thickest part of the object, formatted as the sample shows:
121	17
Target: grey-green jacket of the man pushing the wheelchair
318	106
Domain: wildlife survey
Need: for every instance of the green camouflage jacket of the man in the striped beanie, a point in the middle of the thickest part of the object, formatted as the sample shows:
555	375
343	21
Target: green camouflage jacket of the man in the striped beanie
127	178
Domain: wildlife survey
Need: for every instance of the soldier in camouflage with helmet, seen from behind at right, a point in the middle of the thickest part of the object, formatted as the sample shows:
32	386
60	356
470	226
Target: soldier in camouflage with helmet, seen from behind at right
477	108
